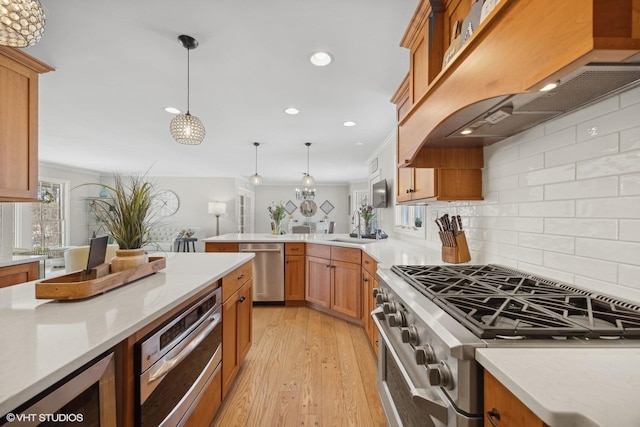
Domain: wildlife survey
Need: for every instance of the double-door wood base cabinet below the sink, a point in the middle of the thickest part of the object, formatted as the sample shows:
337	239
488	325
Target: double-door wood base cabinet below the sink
333	279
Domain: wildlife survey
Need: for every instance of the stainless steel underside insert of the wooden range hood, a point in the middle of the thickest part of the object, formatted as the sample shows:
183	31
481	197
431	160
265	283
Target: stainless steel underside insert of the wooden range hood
502	117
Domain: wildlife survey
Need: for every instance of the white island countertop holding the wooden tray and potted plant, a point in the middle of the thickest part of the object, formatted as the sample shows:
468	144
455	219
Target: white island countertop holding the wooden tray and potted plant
44	340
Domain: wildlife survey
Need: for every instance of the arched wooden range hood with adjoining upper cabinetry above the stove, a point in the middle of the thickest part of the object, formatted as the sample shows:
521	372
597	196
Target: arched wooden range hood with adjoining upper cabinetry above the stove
484	77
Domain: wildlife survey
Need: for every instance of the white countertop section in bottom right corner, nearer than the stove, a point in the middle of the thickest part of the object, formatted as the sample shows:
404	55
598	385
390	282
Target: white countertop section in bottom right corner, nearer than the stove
571	387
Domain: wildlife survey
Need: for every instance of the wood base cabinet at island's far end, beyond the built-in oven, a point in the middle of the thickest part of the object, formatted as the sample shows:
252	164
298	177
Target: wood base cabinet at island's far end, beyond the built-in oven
237	311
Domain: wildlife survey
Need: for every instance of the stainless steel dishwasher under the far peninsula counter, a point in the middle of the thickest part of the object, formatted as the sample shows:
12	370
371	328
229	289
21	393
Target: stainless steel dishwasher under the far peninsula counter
268	271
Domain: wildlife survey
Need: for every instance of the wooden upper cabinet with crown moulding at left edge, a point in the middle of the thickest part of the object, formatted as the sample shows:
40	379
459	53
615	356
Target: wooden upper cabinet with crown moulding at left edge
19	125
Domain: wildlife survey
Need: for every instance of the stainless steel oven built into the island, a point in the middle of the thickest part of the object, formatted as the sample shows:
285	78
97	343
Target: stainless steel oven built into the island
178	362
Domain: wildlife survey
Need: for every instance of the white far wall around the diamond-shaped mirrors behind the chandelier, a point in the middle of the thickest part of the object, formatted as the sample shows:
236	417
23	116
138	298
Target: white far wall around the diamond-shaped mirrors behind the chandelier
337	195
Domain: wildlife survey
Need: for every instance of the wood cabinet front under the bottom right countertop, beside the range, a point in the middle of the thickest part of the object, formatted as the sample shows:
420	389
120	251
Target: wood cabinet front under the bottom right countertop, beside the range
504	409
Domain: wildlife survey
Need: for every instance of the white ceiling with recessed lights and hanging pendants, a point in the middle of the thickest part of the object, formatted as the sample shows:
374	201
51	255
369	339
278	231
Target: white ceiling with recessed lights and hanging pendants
119	63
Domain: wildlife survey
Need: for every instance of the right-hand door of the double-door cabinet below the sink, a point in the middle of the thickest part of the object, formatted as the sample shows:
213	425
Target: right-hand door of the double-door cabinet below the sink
346	289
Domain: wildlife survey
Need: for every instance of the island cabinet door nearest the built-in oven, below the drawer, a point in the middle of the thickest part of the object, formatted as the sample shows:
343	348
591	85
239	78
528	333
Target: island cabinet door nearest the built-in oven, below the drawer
230	359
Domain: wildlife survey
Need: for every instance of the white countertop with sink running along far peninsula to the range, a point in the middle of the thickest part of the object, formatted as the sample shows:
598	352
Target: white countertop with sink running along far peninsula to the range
386	252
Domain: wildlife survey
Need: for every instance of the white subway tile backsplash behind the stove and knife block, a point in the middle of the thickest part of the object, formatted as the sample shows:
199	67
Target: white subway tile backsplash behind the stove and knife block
562	200
